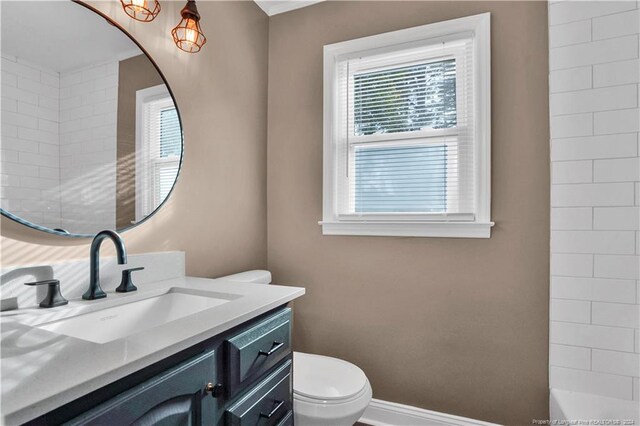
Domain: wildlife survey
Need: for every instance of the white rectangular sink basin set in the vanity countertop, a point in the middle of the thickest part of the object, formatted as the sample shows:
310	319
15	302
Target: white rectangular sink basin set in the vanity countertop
130	318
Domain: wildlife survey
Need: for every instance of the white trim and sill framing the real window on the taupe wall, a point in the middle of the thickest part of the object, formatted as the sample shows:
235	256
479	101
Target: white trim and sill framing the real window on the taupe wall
334	223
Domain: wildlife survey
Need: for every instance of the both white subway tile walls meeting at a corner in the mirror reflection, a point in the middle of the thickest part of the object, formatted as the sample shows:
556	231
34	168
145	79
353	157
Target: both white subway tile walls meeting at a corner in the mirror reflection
58	134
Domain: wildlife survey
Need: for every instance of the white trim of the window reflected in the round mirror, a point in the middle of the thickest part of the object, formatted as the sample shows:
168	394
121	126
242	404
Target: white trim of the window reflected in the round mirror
144	187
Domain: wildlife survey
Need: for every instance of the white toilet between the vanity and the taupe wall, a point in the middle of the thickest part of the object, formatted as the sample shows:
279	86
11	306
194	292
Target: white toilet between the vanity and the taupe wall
326	391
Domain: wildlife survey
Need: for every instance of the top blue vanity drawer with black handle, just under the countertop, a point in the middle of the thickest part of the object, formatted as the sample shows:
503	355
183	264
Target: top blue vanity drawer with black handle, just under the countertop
257	349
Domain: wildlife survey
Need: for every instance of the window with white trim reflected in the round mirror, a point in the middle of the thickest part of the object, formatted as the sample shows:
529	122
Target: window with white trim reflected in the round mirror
159	145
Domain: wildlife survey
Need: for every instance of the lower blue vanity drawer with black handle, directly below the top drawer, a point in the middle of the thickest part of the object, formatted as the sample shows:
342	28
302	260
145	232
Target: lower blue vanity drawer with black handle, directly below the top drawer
268	403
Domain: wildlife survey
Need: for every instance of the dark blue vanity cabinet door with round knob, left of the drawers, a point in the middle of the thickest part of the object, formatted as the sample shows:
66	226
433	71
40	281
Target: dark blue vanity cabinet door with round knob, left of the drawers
175	397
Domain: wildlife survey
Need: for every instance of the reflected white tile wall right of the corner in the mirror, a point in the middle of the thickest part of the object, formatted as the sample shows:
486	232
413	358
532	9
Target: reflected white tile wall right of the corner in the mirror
88	111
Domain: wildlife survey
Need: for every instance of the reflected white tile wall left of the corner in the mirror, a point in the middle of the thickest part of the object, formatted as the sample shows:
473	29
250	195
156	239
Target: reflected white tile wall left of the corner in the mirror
30	144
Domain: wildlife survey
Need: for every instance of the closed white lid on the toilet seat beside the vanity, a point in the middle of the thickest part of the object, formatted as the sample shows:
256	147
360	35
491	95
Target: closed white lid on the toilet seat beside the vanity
325	378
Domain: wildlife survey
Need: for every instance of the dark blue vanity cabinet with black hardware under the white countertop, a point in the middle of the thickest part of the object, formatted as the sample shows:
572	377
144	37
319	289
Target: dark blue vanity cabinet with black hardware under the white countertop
241	377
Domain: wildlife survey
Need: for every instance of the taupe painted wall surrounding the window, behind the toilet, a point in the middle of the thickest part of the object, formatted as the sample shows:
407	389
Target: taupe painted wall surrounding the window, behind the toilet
454	325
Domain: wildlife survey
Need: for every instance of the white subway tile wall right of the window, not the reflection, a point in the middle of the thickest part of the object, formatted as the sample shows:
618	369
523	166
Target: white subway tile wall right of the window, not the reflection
595	197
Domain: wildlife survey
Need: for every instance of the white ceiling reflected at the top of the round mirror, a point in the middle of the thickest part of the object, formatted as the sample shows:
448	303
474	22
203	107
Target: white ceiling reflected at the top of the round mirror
61	35
